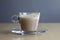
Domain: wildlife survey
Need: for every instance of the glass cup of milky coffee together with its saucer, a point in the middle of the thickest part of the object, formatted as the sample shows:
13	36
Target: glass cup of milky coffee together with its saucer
28	21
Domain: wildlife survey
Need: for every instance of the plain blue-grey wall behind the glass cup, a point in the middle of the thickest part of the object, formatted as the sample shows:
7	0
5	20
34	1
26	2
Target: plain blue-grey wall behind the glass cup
49	9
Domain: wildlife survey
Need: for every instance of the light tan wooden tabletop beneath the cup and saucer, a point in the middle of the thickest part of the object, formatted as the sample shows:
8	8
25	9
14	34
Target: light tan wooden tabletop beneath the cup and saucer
53	32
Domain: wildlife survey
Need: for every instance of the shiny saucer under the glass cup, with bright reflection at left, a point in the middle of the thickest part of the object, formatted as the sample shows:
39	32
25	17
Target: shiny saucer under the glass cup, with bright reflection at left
21	32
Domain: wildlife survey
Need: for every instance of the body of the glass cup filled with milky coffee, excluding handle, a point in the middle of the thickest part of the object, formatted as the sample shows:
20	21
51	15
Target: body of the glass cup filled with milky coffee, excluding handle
29	21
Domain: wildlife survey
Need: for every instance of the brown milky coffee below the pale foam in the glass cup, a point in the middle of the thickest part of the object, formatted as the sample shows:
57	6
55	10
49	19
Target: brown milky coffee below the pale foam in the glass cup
29	24
